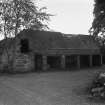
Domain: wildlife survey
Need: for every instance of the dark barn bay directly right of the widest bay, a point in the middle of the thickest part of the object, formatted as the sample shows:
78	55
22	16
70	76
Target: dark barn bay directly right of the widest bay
71	61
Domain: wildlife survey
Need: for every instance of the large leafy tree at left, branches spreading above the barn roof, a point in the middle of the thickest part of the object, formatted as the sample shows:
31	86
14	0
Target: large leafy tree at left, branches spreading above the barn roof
16	15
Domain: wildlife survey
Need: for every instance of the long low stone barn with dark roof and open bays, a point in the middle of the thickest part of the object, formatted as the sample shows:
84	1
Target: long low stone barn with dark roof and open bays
45	50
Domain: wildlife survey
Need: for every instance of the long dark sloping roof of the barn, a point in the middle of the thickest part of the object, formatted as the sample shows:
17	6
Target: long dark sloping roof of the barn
58	43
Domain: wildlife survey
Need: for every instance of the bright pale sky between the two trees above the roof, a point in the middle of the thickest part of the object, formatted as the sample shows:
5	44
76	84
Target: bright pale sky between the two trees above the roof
70	16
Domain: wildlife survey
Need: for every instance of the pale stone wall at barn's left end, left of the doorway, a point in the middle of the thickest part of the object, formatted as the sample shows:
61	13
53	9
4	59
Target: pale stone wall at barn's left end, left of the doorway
22	62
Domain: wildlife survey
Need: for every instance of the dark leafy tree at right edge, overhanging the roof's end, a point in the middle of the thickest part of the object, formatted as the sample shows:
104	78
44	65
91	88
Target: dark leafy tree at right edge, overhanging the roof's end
98	26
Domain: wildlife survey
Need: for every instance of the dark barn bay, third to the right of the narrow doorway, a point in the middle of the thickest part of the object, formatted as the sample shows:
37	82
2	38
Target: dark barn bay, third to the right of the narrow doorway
84	61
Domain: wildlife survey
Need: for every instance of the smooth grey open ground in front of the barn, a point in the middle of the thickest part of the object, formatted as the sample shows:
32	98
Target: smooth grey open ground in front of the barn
47	88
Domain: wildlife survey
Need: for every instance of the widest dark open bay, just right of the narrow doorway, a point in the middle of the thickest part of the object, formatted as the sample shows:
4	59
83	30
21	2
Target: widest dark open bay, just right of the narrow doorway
54	61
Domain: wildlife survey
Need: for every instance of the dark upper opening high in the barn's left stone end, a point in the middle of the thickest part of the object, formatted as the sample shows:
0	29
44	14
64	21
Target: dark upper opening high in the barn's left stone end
24	46
